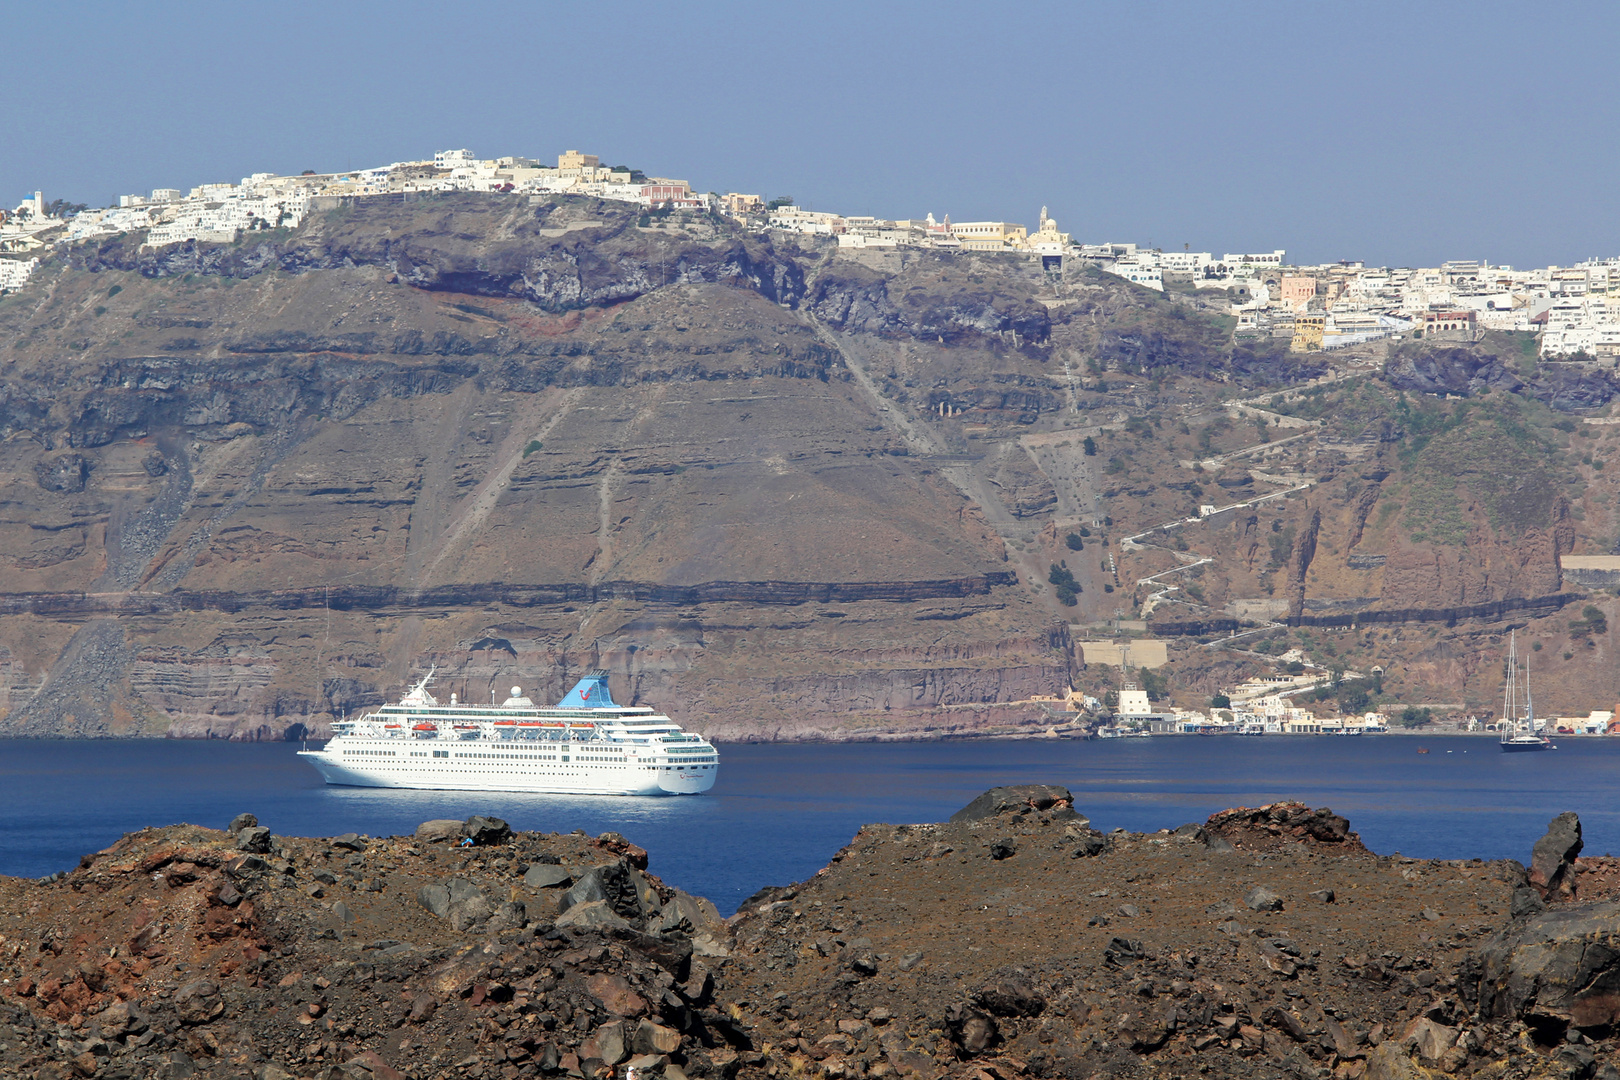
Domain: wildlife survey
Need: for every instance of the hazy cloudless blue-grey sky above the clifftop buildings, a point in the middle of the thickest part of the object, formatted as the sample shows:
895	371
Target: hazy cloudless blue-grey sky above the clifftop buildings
1400	134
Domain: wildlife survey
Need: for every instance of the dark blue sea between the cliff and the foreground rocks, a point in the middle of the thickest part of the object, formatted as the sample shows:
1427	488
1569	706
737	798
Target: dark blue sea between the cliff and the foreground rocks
782	810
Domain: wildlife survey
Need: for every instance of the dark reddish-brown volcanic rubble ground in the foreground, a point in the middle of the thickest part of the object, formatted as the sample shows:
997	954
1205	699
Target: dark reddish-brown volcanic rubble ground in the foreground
1013	942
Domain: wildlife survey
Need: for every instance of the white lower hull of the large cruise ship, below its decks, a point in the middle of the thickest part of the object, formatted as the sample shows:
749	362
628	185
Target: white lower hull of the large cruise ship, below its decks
552	780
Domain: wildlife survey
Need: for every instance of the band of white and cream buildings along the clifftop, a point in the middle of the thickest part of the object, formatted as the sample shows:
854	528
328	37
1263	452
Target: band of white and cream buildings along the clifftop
1575	312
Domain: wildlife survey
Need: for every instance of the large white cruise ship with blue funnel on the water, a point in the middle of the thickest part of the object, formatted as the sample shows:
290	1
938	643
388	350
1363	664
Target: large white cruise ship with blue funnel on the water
584	746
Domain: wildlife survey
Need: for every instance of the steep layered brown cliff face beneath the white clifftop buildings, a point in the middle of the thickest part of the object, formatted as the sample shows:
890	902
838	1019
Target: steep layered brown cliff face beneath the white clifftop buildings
778	491
